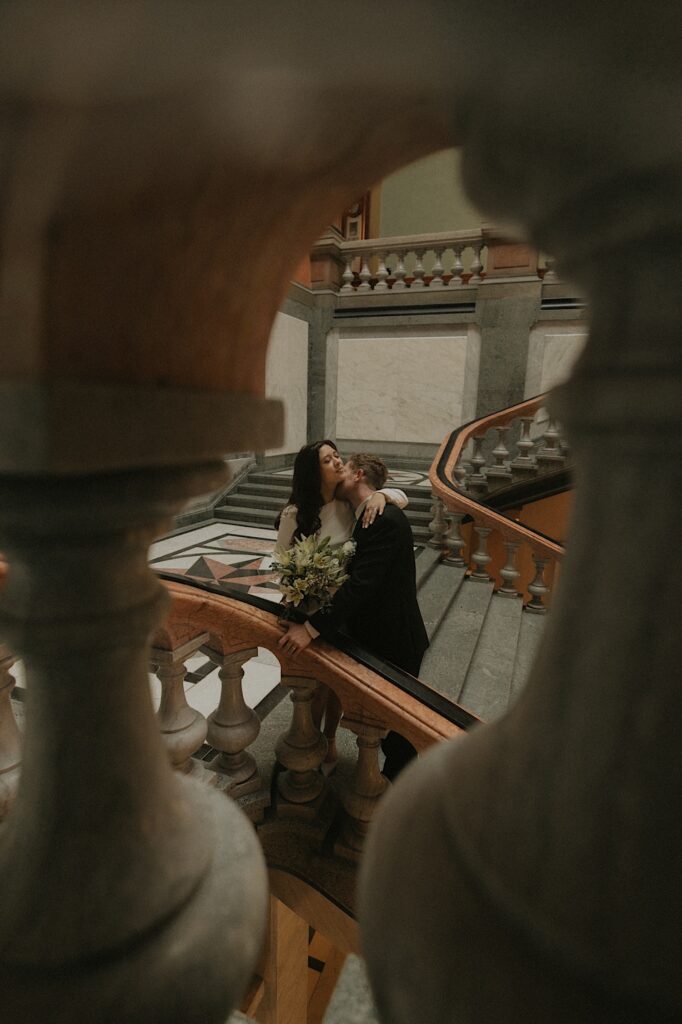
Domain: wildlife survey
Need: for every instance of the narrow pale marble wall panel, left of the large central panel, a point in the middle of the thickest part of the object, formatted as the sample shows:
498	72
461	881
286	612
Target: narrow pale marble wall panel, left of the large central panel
287	377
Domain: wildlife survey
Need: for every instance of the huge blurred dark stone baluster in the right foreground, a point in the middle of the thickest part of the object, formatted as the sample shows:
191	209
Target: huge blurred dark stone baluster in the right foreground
534	862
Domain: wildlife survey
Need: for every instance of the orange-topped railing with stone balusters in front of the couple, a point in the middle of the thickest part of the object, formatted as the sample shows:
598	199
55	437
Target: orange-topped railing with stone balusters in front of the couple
374	698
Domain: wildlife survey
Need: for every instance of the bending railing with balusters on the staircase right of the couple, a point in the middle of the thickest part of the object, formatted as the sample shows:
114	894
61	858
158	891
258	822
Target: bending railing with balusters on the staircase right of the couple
462	474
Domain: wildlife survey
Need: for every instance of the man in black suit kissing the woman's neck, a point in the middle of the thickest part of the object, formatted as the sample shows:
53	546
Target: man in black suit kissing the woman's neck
377	607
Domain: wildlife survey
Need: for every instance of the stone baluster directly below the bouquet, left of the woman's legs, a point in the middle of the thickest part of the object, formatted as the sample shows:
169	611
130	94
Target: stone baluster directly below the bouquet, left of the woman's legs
302	750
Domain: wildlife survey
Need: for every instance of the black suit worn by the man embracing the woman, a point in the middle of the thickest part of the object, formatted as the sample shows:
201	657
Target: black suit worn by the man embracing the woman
378	609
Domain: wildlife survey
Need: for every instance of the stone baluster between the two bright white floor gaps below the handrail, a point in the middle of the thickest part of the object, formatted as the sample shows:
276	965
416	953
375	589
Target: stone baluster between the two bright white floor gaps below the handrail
234	727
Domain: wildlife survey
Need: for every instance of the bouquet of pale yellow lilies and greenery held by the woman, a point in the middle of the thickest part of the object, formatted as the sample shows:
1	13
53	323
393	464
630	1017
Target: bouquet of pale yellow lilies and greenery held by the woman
312	572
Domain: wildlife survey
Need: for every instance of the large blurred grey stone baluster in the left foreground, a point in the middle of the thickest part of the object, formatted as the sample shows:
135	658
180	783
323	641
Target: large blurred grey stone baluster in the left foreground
133	862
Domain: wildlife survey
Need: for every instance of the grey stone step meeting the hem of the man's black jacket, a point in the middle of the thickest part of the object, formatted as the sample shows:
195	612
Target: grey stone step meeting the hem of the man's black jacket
447	662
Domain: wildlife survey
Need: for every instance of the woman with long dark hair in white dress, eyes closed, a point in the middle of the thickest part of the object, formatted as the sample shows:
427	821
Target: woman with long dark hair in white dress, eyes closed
314	509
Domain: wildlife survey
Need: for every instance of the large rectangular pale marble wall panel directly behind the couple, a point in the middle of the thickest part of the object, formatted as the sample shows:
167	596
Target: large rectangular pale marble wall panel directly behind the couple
405	385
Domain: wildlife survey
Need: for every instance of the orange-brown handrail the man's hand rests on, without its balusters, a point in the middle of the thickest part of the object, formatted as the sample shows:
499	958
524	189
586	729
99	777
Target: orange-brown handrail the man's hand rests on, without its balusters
235	625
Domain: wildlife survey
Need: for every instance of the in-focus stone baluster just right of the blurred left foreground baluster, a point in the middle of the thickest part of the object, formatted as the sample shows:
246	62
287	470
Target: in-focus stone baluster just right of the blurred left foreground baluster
183	729
